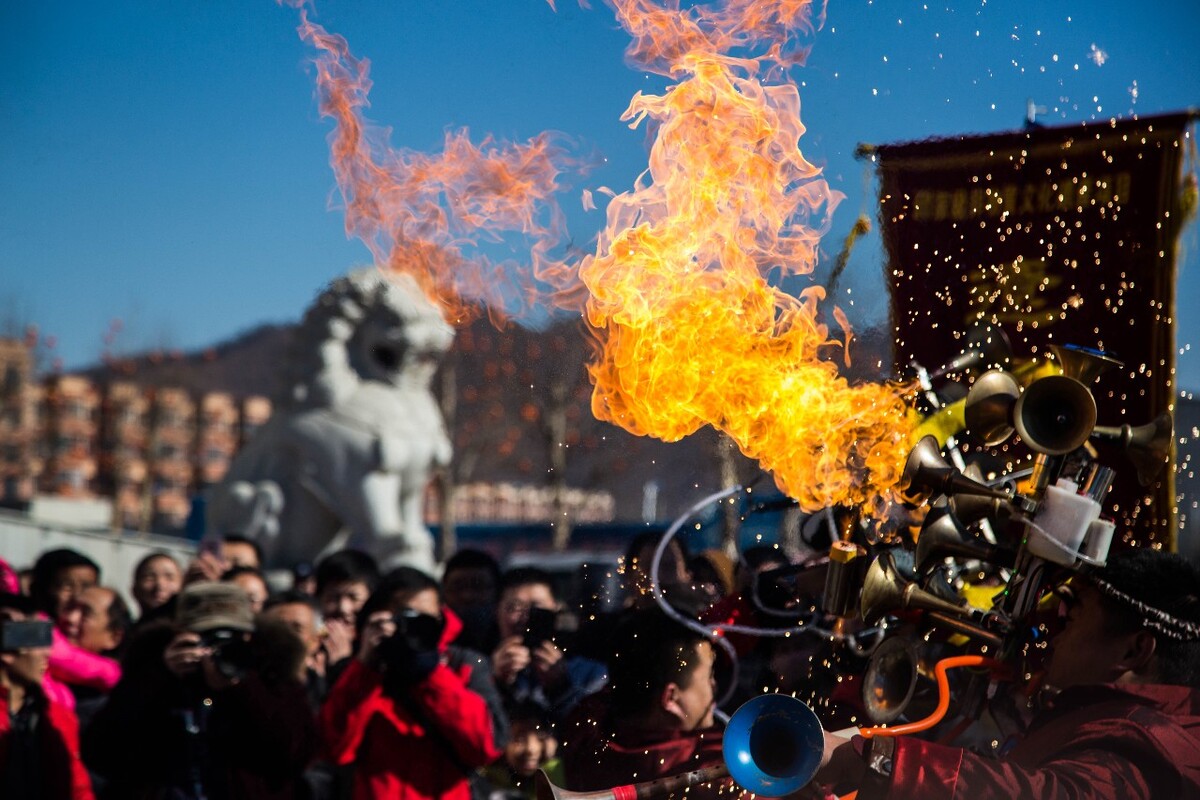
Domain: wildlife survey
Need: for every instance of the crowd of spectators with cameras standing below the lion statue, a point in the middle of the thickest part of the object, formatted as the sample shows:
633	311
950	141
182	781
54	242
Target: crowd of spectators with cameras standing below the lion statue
347	682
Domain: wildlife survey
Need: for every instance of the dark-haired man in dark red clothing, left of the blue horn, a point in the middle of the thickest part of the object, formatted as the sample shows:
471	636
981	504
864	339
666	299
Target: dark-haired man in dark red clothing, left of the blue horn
656	719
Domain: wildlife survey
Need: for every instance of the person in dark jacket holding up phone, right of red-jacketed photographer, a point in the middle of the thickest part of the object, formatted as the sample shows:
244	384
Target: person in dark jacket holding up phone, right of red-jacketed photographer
531	665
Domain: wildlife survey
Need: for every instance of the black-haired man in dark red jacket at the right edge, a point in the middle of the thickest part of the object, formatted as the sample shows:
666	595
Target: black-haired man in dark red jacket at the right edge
1121	719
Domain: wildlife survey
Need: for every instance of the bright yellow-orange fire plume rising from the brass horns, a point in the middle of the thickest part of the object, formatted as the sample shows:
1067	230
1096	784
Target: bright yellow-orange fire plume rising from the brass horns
691	332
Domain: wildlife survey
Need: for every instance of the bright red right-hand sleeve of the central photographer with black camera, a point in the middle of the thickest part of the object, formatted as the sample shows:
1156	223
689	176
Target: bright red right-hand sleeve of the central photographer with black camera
460	715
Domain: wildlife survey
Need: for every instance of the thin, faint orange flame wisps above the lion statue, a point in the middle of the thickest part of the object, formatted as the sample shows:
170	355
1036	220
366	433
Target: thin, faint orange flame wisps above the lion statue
425	215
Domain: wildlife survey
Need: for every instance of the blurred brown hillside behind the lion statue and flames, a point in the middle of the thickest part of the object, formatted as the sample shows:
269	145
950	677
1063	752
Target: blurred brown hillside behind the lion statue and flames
505	384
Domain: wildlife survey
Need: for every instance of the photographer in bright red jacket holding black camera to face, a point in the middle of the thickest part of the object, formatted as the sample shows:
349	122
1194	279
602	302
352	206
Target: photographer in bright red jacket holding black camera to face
416	714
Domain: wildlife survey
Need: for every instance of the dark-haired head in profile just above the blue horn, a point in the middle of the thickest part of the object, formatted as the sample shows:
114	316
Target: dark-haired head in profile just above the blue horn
662	673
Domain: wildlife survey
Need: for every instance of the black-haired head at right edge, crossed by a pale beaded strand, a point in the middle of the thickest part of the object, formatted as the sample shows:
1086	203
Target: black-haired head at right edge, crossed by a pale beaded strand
1137	621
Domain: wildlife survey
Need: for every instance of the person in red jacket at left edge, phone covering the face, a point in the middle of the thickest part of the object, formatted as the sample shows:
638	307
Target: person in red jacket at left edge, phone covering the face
39	738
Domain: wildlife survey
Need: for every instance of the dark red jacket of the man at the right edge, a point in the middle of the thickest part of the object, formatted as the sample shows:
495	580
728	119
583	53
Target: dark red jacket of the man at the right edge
1112	743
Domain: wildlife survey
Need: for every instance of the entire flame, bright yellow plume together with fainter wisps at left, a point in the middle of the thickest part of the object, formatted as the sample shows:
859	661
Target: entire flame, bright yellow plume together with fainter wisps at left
689	330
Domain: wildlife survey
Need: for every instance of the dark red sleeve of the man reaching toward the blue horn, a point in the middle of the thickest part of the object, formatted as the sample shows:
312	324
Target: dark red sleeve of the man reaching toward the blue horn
1117	763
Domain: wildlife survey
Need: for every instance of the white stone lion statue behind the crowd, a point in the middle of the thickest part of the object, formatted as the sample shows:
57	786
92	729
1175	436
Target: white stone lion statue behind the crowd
347	454
